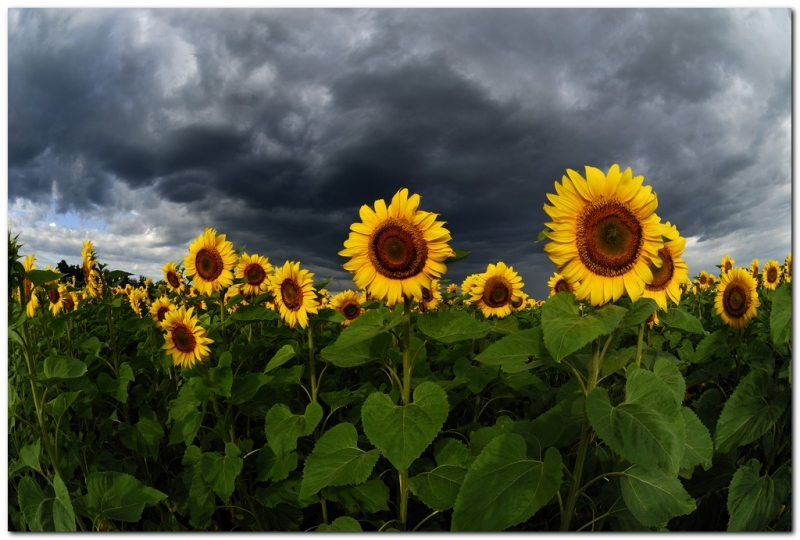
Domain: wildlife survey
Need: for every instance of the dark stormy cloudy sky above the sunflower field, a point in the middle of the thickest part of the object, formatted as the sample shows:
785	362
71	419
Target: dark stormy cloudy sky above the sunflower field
138	128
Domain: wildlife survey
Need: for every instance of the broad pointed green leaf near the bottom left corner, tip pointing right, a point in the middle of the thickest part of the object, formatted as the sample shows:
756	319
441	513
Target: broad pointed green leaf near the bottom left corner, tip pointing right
120	496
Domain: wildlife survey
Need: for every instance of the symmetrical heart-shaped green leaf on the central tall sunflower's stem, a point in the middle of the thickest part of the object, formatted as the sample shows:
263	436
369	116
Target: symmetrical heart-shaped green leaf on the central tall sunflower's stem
402	433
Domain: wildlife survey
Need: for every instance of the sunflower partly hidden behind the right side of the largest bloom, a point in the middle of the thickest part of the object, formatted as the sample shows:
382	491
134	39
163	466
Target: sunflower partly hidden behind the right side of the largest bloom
673	271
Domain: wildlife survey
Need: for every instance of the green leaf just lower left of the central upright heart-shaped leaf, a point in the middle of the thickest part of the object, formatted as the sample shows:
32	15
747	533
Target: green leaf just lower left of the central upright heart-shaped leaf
337	461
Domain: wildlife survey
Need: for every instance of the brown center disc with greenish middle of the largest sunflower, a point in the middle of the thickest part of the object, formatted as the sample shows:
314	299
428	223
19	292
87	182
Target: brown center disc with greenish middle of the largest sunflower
609	238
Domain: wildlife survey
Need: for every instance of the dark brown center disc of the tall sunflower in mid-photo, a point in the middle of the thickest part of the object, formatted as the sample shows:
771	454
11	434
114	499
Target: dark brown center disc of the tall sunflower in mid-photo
397	249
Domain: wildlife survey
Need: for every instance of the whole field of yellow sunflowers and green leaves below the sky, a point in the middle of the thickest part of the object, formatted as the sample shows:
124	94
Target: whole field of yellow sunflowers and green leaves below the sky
234	395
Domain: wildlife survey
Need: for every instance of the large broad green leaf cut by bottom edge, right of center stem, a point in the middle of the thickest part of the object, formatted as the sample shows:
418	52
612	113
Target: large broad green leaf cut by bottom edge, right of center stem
503	487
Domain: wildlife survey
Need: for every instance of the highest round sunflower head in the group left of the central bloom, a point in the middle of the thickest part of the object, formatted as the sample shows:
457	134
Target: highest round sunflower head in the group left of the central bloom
210	262
